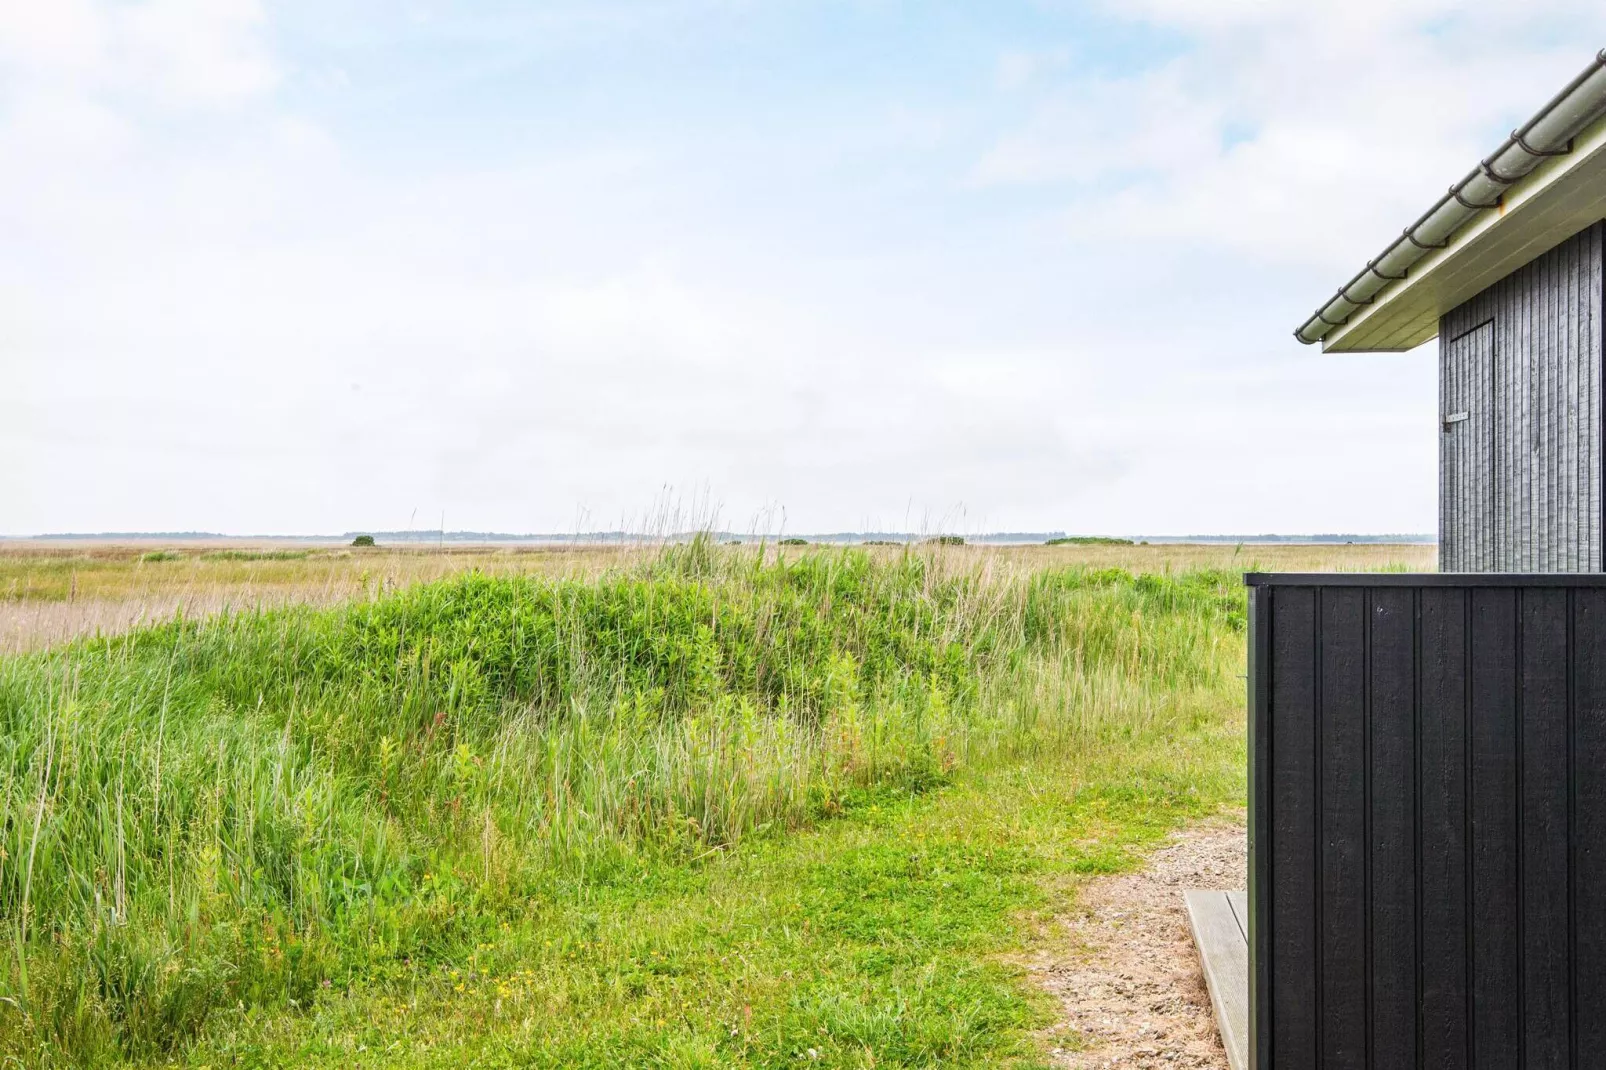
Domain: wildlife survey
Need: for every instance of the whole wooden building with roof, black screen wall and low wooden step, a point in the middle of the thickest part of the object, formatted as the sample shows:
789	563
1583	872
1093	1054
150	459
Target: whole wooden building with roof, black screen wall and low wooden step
1429	753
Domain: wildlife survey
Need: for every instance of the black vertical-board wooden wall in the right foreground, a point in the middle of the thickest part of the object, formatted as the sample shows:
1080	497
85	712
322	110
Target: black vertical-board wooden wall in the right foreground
1429	822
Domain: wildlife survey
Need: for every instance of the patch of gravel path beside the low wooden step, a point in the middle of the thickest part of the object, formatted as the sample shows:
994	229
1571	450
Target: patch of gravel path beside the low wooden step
1123	965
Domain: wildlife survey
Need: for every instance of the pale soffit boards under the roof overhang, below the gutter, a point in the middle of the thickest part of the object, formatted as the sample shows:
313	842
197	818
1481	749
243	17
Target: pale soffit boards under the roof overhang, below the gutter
1559	200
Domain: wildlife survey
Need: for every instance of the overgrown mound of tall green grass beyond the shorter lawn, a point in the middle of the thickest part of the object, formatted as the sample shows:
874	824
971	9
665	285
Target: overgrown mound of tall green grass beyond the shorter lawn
235	812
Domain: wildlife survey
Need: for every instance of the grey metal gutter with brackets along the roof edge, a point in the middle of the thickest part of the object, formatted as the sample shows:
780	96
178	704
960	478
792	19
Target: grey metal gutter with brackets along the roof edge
1547	134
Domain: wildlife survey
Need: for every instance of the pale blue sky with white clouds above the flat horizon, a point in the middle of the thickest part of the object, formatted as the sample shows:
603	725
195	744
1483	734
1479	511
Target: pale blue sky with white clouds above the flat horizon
802	266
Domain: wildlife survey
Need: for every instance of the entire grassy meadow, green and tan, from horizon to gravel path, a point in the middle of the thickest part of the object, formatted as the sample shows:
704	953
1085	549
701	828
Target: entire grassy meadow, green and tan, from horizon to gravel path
687	806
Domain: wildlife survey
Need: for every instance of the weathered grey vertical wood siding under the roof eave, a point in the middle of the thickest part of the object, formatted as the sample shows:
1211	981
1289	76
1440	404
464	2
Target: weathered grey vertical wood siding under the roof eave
1520	481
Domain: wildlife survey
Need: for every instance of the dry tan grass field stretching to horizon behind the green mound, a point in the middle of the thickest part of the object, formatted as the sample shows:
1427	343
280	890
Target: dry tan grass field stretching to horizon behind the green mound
57	592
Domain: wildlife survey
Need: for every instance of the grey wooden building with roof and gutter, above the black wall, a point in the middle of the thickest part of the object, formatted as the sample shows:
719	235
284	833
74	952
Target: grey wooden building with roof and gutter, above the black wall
1507	271
